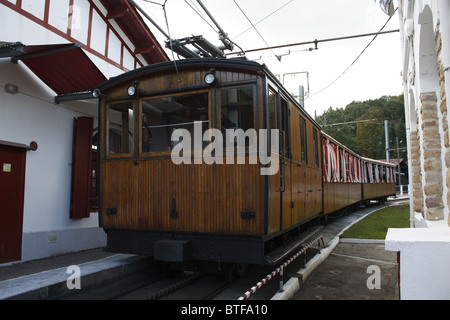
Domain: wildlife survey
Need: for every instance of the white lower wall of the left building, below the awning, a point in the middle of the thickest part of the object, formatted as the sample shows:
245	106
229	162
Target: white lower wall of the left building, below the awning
31	115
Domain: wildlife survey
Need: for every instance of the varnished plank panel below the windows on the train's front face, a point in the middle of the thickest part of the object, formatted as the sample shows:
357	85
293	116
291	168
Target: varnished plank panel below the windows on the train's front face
207	198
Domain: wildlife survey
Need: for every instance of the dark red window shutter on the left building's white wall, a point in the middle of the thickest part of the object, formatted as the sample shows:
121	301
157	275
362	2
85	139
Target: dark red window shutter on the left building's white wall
81	168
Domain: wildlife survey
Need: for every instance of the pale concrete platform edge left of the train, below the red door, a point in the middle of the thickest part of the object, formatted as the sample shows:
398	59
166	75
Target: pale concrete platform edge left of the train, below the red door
48	278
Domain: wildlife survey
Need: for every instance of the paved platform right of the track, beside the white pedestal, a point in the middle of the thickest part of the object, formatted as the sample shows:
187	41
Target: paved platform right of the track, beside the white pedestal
354	270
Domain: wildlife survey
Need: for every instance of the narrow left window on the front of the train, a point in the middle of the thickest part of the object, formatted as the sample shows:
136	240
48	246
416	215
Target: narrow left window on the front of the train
120	128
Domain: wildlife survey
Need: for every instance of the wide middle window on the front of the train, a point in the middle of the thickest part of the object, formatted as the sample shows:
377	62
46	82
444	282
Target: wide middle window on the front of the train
162	115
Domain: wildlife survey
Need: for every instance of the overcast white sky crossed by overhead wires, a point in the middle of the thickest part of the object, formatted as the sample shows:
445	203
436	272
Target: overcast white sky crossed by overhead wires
376	73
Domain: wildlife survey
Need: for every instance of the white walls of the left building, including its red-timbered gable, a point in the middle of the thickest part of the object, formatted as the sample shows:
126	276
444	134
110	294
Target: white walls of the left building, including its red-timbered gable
32	115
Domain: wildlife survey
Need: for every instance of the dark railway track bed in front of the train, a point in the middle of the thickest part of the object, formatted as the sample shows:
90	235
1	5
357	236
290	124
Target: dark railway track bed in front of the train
156	283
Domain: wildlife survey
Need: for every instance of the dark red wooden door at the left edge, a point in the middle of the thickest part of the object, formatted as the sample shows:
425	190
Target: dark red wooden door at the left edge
12	182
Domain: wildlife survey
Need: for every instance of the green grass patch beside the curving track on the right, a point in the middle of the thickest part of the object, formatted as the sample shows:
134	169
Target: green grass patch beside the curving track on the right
375	225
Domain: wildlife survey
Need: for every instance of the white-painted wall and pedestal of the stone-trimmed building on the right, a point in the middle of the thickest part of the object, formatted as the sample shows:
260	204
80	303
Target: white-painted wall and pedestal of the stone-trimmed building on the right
425	249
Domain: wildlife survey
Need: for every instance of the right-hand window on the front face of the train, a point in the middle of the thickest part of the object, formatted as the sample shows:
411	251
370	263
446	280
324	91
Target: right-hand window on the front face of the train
237	108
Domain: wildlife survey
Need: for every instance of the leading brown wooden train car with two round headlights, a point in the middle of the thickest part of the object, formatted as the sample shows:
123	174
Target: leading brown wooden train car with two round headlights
225	210
